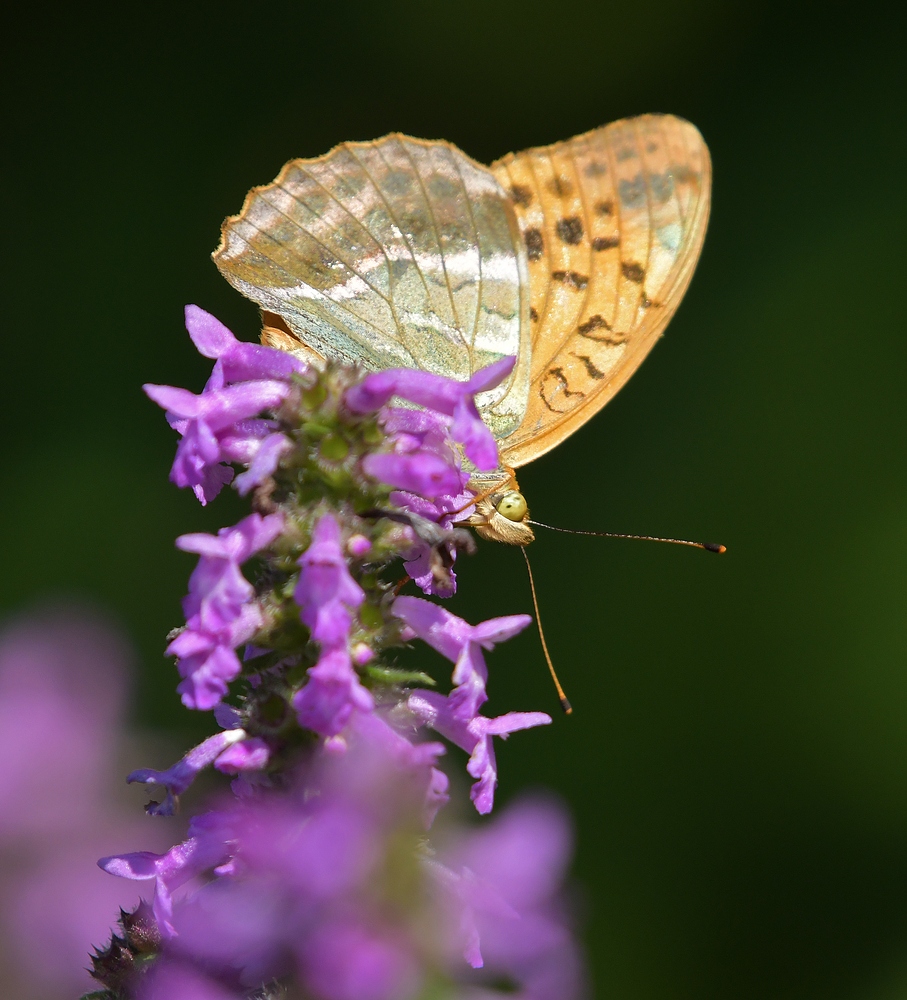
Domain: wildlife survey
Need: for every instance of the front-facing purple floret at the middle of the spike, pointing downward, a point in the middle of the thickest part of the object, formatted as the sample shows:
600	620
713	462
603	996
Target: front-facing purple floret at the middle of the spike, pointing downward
326	592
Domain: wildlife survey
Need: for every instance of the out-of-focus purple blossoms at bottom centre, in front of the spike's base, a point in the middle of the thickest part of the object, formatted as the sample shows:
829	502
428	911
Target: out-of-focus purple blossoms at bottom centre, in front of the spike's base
303	884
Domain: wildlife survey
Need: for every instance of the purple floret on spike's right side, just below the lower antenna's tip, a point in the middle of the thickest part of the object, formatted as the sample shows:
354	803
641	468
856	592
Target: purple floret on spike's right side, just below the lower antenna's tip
474	737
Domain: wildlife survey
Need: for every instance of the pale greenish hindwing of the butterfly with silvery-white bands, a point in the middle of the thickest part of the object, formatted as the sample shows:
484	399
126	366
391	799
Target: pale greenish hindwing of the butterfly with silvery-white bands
397	252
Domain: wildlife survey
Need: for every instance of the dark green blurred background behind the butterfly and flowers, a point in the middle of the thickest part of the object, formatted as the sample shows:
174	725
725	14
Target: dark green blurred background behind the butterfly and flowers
737	761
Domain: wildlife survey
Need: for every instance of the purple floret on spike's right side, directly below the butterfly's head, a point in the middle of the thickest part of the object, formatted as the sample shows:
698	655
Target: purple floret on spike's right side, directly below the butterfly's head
462	644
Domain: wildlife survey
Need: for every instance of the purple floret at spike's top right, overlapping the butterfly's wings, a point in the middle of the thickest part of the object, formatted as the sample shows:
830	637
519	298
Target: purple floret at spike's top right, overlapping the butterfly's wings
448	396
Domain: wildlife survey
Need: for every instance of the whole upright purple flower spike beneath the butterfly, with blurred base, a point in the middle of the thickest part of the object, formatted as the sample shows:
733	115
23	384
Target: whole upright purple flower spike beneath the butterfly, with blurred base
329	869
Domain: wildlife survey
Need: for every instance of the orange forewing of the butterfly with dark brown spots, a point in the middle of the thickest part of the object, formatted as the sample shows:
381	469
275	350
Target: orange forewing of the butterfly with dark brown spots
613	222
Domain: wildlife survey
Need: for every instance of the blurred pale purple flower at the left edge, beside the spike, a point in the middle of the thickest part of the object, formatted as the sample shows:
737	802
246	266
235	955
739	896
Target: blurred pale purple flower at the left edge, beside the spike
63	698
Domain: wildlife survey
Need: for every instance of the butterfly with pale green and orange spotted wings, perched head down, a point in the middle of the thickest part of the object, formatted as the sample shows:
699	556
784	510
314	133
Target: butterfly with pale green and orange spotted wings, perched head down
406	252
